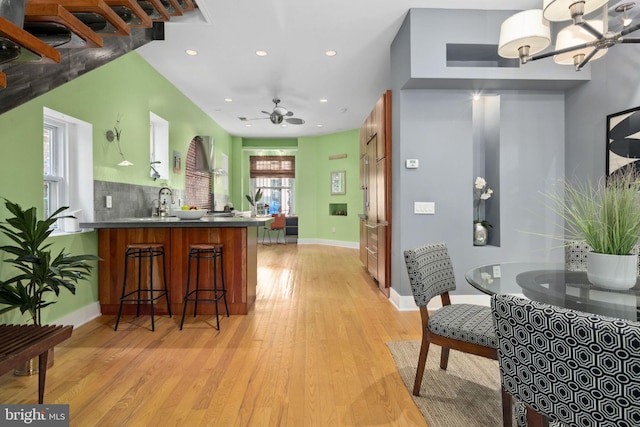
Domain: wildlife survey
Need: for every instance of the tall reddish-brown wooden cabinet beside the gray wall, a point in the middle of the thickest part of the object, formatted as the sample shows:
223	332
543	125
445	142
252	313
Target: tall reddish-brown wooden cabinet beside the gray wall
375	181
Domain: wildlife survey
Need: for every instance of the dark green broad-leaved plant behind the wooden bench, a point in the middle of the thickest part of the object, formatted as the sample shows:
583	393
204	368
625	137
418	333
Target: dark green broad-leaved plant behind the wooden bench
39	272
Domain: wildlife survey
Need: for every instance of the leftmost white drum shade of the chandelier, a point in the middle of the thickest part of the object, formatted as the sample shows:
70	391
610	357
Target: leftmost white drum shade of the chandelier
527	28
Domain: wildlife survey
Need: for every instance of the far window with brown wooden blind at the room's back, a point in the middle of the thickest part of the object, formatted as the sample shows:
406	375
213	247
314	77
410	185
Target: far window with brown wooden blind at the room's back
275	176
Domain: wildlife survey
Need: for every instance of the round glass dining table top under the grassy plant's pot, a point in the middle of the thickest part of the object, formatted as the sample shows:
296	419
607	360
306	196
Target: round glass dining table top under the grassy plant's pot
552	283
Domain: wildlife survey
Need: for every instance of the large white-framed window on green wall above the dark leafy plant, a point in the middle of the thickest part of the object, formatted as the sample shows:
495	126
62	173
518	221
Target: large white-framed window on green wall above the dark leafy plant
67	167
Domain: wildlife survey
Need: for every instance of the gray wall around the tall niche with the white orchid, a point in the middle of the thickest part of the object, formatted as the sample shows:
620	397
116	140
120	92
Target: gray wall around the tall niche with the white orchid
436	126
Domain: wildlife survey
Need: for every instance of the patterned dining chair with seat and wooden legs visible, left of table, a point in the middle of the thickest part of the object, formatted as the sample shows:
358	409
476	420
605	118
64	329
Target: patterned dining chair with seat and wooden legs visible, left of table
463	327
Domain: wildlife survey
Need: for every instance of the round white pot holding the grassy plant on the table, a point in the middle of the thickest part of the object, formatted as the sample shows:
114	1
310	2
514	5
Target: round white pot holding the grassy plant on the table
612	271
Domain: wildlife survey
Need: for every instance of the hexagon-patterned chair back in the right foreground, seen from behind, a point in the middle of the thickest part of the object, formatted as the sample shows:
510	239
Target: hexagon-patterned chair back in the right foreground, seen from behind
567	366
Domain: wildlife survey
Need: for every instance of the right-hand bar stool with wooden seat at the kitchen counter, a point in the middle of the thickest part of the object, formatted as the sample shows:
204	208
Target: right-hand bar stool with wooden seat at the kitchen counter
211	252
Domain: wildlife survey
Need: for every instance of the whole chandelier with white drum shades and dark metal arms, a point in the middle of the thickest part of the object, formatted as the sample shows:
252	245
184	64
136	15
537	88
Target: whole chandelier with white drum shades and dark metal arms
526	34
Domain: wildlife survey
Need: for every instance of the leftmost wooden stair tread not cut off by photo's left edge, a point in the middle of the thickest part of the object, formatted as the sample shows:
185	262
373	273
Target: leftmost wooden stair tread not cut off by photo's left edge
50	12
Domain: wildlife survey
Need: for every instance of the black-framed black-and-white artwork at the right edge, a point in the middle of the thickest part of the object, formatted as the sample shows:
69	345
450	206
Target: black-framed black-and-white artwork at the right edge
623	140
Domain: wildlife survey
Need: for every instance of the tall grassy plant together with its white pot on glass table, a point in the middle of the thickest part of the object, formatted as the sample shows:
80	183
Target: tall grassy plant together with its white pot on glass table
607	217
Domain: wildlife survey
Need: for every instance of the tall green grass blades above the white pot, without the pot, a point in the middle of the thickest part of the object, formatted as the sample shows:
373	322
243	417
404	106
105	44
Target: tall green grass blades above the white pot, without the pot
605	215
